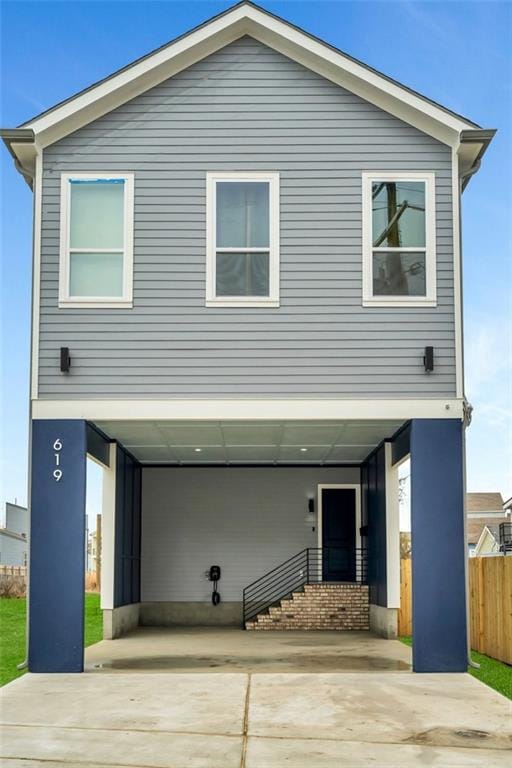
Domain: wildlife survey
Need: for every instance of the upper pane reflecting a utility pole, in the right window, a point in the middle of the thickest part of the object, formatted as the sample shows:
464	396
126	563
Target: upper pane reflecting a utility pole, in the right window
398	212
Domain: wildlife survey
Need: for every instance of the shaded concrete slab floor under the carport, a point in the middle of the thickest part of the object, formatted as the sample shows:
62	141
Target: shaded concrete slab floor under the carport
155	649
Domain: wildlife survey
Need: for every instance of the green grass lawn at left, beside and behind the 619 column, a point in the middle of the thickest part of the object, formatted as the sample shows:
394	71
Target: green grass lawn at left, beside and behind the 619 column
12	632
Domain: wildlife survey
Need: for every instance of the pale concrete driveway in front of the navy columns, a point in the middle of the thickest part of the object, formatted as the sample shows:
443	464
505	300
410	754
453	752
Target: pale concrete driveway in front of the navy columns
220	719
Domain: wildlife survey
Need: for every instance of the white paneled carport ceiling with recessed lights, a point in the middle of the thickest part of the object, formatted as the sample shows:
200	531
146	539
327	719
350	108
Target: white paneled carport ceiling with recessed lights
256	442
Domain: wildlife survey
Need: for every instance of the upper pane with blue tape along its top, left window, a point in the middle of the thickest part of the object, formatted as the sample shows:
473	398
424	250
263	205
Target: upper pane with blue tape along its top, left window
97	213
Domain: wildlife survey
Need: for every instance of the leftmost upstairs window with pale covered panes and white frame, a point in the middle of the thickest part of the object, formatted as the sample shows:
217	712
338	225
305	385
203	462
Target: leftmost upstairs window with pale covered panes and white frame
96	240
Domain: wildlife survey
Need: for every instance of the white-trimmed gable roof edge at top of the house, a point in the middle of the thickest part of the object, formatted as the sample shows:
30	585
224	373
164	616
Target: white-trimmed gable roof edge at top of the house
246	18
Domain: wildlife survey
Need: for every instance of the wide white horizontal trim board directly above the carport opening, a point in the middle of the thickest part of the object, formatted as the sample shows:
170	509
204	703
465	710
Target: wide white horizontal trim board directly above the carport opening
248	410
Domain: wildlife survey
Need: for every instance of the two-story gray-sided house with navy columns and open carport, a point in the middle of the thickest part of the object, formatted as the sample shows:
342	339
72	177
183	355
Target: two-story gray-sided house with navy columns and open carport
247	309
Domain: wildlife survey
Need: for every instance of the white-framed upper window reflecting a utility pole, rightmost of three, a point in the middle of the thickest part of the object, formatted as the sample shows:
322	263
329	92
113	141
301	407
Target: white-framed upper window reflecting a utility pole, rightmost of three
399	239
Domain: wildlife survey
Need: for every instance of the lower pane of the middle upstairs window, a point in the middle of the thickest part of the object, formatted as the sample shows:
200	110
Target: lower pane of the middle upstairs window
242	274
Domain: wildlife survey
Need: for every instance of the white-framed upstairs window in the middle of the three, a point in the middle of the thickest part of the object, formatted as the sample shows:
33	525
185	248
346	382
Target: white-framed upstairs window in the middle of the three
242	267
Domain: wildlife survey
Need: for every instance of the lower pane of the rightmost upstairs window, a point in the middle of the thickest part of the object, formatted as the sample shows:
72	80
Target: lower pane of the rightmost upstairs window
399	274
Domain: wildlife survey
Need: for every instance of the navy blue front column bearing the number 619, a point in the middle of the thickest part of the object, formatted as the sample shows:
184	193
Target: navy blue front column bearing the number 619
57	546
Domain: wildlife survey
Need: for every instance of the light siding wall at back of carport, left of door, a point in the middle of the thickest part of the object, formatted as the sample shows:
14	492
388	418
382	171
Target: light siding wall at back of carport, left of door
245	520
